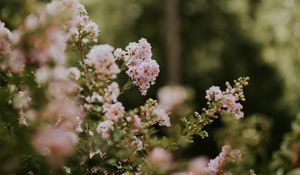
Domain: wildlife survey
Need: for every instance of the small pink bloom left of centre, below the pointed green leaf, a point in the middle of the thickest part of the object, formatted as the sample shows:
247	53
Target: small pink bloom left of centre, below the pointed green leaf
114	111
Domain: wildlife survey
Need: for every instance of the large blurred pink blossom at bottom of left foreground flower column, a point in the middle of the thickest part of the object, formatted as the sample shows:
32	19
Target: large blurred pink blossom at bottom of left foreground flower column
55	143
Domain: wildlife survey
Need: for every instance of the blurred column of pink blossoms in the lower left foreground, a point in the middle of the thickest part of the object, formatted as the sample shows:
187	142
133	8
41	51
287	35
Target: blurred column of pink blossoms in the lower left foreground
62	114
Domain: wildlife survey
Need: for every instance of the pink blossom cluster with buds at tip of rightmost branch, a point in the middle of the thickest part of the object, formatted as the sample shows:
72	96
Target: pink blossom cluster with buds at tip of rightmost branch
229	98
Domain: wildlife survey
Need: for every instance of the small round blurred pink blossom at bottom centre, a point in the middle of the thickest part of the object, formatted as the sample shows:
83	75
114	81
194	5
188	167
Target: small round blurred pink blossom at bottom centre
161	158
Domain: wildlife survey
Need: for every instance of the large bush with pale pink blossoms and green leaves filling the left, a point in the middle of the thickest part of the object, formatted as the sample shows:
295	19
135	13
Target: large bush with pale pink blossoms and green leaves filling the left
71	112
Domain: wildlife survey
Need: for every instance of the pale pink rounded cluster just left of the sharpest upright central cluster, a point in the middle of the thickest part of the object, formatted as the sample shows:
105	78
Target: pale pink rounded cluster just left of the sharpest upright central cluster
101	58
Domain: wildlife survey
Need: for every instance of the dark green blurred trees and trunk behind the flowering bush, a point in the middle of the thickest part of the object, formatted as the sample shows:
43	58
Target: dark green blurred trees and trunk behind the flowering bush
200	43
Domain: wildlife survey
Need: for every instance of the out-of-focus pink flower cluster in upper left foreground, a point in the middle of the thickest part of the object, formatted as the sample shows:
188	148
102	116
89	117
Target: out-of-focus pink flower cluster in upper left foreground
39	40
